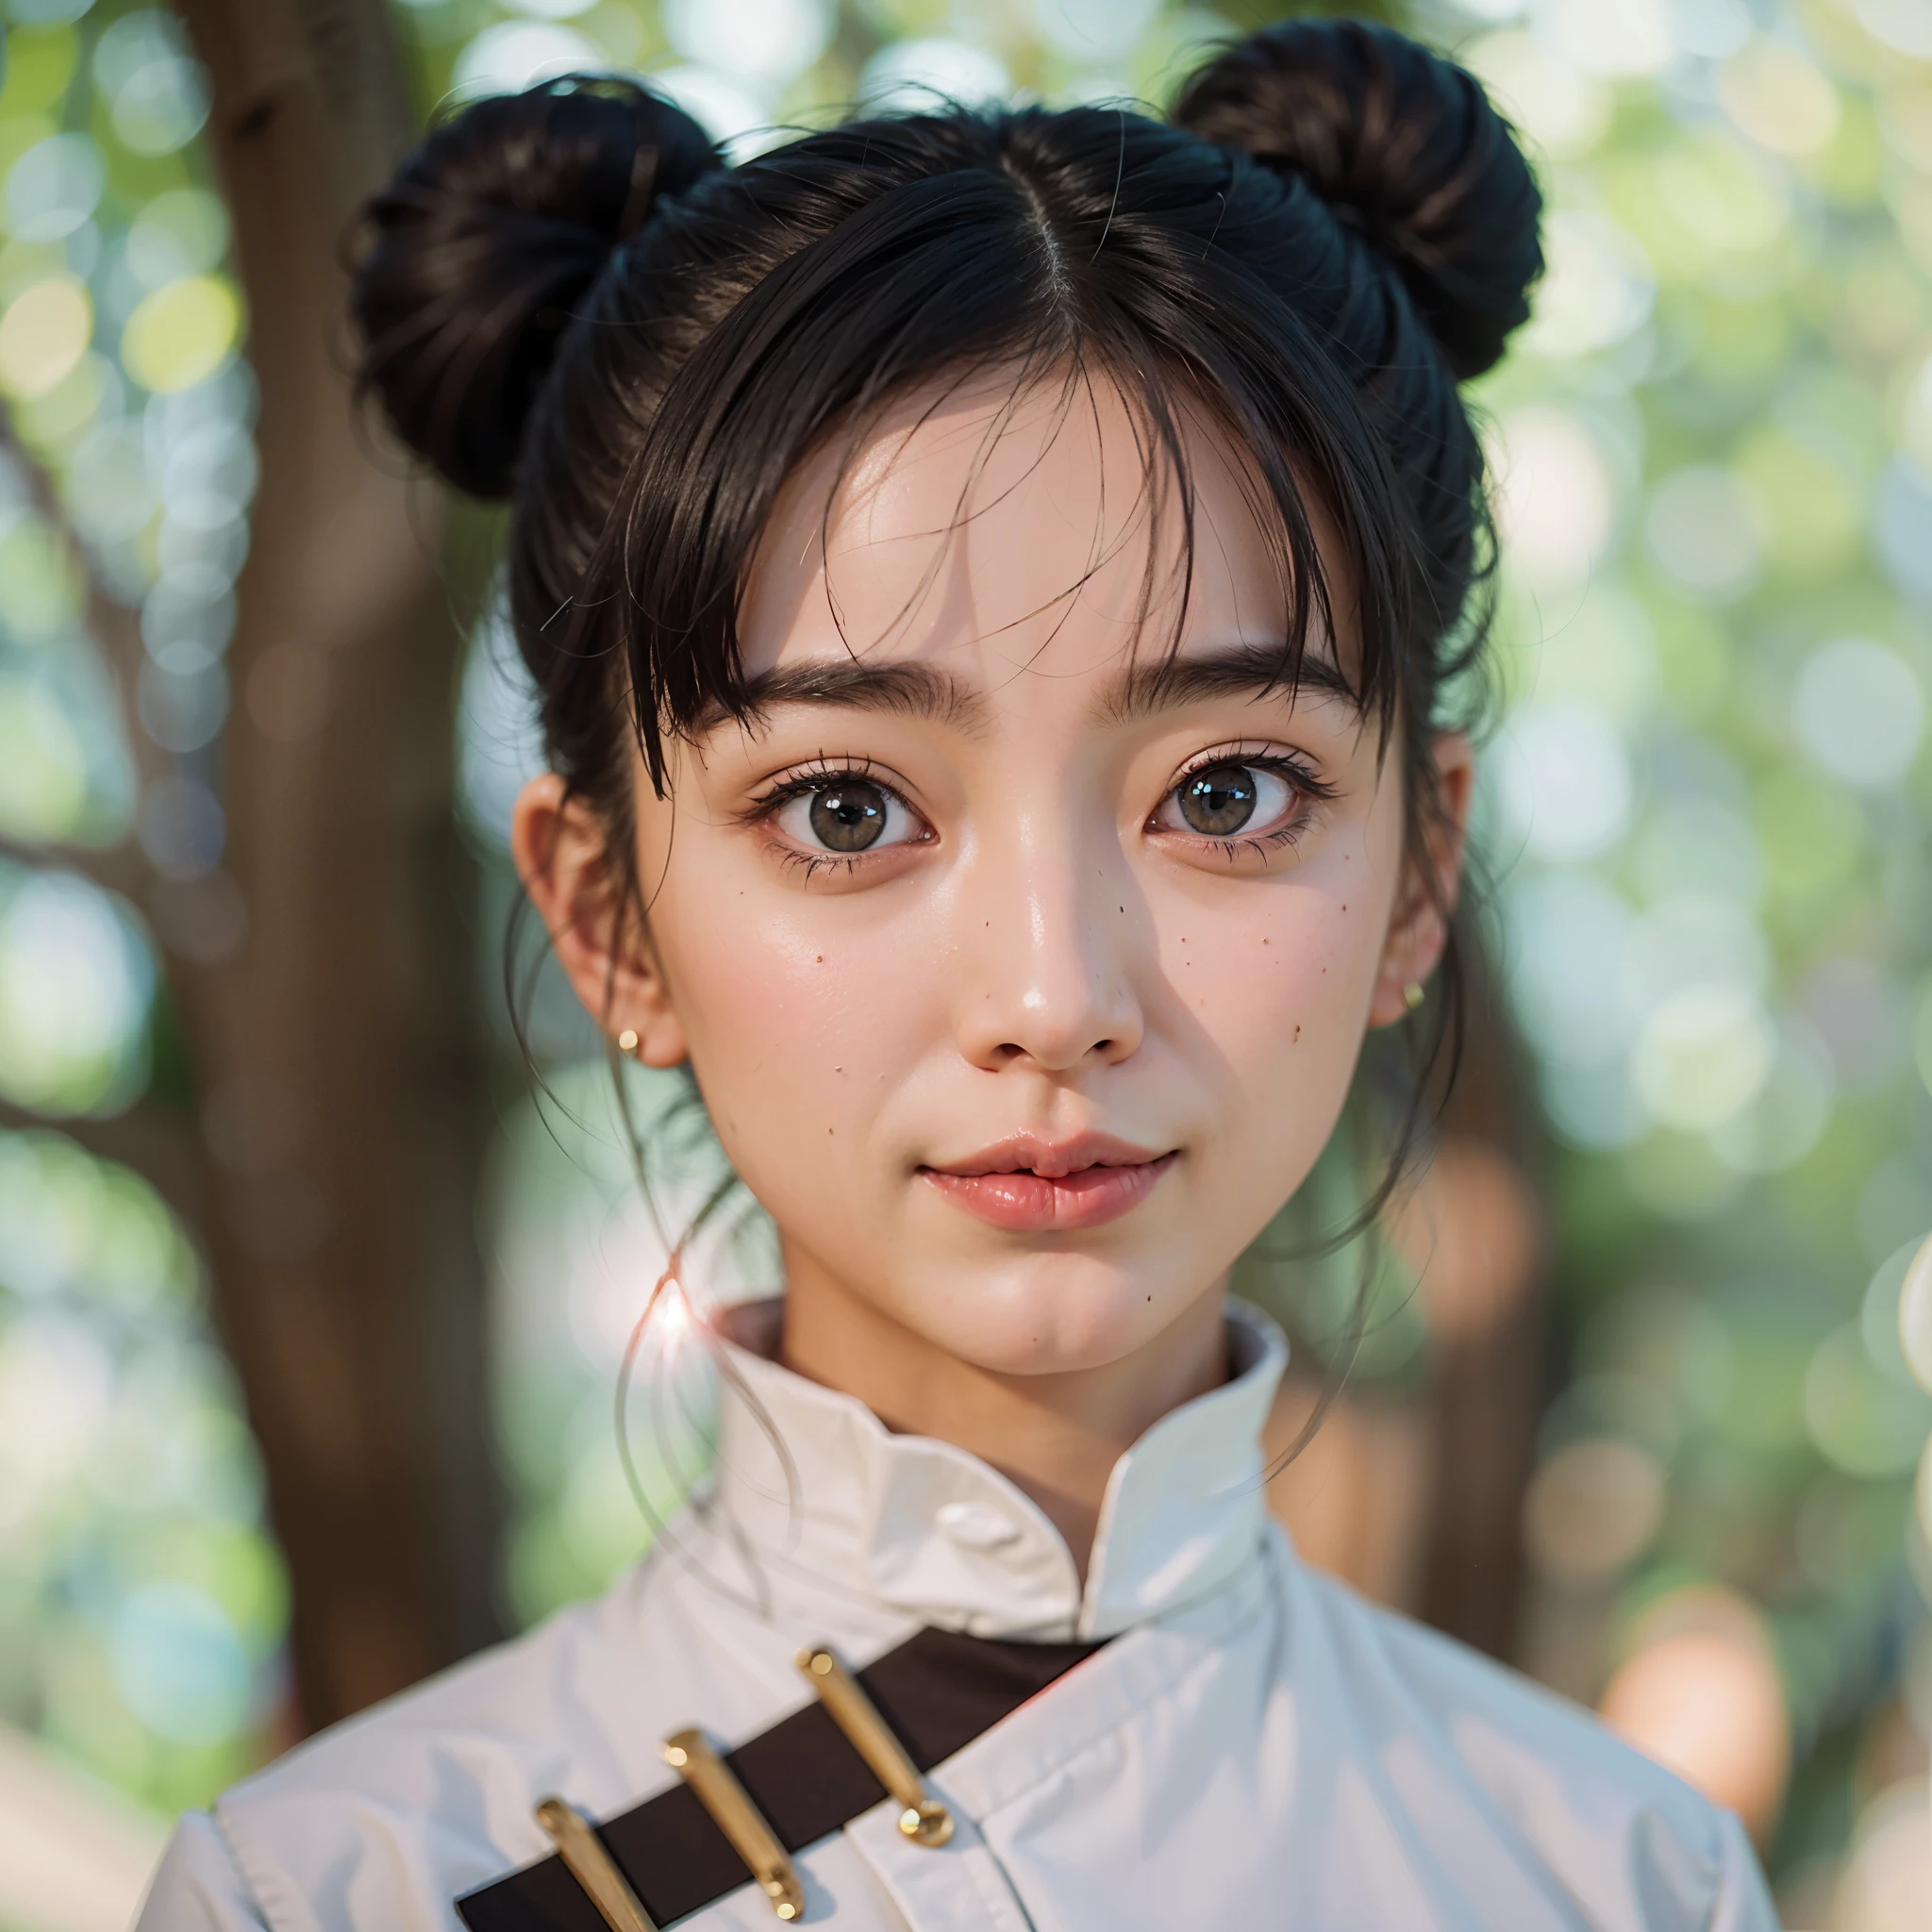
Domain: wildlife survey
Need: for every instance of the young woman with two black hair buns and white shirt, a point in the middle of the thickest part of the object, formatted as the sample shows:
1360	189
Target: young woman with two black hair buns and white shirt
992	582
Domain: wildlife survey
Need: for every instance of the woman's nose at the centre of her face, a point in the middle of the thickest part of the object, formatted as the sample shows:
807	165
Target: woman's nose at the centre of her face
1048	957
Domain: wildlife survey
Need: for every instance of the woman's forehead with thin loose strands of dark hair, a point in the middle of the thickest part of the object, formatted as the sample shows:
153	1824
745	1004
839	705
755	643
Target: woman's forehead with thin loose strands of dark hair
1015	528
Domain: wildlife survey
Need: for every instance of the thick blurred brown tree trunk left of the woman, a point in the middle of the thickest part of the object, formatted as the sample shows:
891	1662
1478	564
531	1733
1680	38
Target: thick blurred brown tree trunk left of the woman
337	1052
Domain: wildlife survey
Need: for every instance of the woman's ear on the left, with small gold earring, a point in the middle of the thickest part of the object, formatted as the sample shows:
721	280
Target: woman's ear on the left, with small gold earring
577	884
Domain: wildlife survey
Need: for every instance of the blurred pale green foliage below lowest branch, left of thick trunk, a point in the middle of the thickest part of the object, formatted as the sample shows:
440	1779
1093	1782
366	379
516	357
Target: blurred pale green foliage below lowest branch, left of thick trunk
146	1605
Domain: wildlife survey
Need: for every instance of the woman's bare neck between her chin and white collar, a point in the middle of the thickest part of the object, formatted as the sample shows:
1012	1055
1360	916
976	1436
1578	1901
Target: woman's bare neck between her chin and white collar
1056	1436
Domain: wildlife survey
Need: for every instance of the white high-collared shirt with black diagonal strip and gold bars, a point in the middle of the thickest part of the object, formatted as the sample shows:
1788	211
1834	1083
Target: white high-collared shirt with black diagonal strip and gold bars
1257	1747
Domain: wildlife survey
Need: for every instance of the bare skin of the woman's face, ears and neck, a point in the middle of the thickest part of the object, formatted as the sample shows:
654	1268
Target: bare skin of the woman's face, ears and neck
961	650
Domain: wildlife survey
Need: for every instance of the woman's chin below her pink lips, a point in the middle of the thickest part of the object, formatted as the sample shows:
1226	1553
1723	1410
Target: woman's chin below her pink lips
1046	1315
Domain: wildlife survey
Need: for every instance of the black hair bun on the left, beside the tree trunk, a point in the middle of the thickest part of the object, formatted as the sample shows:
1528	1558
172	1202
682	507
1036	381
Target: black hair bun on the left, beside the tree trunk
488	239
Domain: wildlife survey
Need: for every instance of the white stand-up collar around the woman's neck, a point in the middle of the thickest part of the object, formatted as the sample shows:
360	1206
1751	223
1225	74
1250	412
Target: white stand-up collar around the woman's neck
926	1531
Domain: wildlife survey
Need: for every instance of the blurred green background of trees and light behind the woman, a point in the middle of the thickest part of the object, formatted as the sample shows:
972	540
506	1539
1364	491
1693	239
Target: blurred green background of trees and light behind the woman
310	1313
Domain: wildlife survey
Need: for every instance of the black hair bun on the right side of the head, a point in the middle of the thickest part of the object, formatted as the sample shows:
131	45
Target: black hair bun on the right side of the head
1406	148
